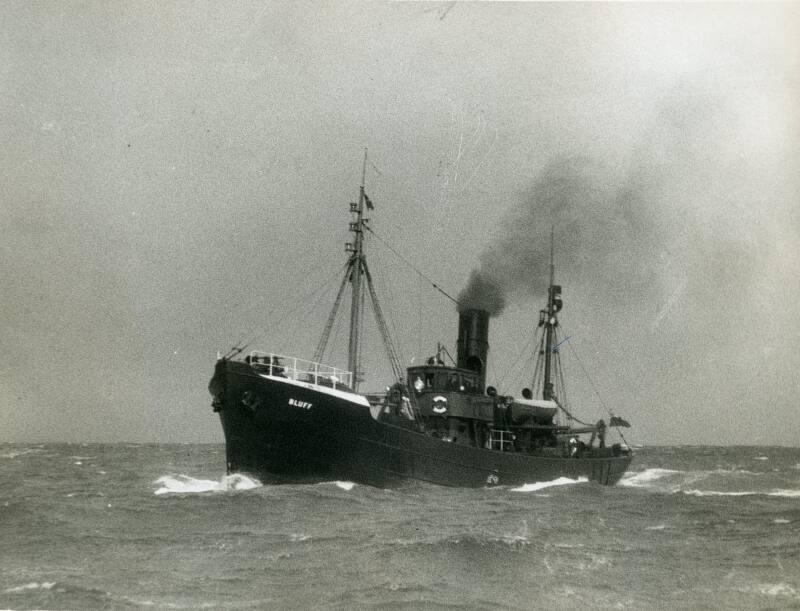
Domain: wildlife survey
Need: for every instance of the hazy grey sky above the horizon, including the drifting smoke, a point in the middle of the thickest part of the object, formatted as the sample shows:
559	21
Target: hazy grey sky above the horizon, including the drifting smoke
176	178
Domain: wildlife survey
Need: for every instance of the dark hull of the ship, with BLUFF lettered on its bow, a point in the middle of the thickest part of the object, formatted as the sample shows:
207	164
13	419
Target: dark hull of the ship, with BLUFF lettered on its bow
285	431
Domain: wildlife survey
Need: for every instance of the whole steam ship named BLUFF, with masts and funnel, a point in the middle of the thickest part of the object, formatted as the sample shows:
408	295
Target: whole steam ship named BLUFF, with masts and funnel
290	420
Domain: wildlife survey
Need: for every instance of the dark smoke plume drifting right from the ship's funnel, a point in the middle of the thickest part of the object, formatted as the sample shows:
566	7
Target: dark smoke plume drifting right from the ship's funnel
677	242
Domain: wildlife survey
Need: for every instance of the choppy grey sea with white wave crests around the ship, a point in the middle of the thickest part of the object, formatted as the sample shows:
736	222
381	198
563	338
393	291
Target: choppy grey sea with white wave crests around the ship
134	526
